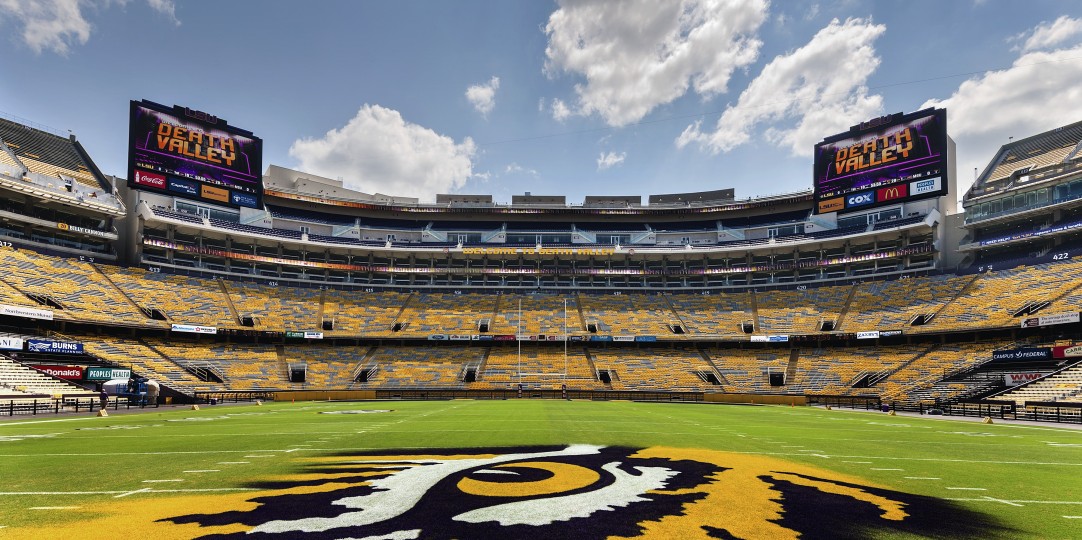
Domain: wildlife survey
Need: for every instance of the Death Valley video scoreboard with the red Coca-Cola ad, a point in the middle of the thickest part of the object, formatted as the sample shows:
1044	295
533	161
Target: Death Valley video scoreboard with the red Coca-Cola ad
188	154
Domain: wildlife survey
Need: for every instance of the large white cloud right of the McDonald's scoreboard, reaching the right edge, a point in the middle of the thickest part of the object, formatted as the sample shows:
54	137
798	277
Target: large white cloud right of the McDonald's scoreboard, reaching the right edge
1039	93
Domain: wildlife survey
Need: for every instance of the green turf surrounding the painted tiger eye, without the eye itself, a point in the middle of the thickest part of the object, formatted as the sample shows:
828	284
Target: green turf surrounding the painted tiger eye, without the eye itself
959	454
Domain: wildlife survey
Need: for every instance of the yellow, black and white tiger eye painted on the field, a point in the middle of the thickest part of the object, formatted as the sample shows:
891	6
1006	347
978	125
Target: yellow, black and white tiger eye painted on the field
579	492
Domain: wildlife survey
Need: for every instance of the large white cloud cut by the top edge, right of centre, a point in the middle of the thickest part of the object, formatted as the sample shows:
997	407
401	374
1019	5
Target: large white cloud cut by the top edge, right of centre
635	56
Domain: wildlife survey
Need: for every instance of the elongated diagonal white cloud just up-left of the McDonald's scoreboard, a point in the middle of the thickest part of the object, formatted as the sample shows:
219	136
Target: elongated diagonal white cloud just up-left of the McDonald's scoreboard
803	95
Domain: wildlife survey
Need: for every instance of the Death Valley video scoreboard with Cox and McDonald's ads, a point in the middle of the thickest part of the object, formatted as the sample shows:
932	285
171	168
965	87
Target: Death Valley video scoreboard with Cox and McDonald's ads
886	162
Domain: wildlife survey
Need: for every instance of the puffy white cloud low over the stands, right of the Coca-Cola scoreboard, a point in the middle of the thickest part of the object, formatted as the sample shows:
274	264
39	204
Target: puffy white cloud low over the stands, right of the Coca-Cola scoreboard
379	152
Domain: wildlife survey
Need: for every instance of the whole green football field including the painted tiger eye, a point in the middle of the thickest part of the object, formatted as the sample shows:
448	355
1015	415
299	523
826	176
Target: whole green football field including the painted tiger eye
535	469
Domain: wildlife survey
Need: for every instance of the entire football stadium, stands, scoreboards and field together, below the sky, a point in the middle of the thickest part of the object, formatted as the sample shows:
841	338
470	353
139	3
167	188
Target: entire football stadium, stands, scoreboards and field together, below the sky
545	336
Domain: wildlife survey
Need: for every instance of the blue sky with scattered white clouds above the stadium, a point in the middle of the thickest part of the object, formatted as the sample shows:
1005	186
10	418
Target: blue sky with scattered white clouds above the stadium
569	98
